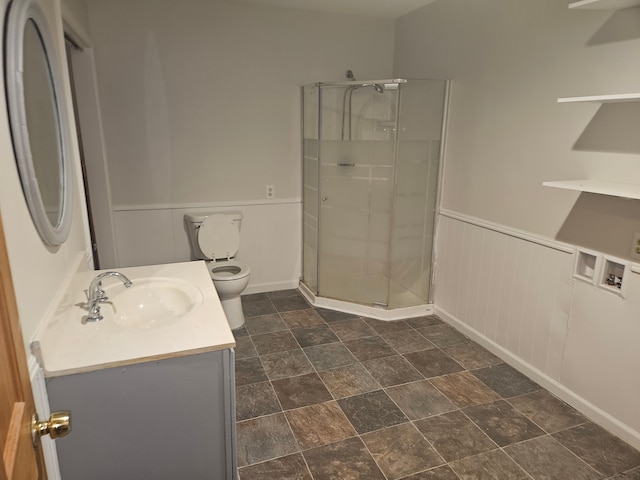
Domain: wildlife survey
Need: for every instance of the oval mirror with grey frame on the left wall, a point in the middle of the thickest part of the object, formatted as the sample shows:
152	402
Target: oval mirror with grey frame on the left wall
38	119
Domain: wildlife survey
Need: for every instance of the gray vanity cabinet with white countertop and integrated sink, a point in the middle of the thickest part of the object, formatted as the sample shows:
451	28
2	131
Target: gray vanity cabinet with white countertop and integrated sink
151	387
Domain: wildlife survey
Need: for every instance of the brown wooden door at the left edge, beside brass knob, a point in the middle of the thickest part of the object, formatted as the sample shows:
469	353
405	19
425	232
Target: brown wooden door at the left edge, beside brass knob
20	460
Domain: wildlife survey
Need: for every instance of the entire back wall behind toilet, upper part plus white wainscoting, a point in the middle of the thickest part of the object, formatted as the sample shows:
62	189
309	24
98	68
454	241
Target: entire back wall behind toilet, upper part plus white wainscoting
201	108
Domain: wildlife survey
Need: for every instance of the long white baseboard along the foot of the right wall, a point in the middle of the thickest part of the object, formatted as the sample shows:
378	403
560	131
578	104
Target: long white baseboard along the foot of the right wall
585	407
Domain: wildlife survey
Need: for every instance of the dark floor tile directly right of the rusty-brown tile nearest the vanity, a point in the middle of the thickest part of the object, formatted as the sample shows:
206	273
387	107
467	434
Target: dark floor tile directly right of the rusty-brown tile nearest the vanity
371	411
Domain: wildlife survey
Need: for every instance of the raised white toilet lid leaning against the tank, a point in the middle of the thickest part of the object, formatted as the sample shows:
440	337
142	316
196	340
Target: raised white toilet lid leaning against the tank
218	237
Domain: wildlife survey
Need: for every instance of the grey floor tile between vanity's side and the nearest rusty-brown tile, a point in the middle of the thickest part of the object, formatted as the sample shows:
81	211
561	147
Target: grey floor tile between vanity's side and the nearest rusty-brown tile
264	438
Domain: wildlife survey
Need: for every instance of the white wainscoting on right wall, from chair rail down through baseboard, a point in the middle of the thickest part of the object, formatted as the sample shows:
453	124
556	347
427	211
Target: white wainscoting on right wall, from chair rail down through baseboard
514	293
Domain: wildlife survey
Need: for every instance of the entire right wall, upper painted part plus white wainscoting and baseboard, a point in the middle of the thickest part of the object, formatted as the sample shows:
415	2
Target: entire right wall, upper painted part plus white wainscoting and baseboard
501	275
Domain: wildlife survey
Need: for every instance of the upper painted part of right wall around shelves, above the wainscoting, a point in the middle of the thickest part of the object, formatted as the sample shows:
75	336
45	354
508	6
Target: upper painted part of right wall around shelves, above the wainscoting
509	62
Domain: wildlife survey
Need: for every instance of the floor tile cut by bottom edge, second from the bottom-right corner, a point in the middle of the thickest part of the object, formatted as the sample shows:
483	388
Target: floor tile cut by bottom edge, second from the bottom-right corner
544	457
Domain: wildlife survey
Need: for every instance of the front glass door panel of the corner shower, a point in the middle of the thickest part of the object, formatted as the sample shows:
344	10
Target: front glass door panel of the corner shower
356	165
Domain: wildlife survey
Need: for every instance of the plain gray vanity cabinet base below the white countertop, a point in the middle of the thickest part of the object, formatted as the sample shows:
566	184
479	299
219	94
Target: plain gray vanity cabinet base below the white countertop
163	420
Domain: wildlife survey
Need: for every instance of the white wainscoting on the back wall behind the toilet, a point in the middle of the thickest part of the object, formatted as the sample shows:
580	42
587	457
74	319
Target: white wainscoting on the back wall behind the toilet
270	238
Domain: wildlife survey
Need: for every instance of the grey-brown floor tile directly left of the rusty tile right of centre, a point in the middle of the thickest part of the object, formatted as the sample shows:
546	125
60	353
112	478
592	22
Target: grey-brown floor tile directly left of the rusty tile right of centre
419	400
